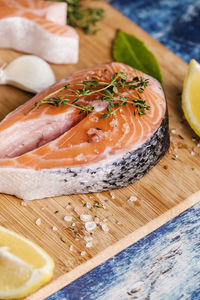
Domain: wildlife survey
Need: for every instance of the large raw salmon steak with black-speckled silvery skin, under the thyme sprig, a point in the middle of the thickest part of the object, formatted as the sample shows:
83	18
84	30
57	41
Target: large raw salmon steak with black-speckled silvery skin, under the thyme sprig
52	151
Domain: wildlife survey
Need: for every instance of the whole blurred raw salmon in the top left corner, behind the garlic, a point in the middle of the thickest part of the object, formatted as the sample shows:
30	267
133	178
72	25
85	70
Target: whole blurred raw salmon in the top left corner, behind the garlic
38	27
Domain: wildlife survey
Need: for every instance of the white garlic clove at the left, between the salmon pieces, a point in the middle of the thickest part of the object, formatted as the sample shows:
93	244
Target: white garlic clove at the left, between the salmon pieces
29	73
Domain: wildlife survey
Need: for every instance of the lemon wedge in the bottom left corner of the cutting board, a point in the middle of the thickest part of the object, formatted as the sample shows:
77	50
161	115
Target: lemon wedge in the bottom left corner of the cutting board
24	266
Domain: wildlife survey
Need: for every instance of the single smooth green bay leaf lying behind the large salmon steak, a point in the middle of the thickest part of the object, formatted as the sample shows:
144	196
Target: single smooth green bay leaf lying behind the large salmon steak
130	50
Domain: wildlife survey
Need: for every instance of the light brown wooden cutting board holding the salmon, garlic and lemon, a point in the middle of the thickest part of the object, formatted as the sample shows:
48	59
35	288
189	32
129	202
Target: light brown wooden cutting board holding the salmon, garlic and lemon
161	193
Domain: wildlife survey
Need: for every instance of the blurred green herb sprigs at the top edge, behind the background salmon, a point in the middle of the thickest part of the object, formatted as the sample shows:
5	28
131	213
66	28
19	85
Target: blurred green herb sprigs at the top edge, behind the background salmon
83	18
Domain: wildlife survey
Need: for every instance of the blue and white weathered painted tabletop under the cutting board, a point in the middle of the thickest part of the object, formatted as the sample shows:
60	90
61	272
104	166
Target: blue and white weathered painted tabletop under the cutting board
165	264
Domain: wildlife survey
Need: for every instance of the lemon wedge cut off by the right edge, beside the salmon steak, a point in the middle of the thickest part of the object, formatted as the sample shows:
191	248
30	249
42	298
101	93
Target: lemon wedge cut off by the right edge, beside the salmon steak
191	96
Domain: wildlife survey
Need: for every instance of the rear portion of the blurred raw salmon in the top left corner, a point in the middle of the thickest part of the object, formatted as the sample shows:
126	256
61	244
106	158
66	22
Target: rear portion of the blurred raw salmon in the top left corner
53	11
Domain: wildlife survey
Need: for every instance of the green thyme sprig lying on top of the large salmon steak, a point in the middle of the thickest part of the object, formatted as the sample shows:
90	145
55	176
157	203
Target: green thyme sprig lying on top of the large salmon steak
103	91
